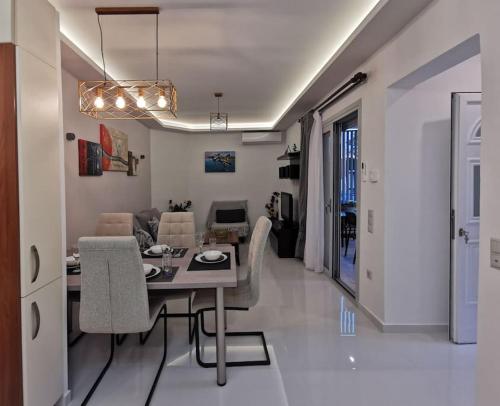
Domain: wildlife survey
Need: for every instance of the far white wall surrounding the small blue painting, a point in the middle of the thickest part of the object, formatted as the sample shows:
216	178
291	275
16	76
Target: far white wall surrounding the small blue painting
181	156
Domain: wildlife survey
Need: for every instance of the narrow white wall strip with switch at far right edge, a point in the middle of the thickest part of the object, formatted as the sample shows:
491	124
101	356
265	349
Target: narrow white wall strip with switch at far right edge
488	366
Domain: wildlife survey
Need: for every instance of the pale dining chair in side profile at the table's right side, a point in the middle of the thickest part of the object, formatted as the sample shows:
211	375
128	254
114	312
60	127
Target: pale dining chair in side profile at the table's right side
242	298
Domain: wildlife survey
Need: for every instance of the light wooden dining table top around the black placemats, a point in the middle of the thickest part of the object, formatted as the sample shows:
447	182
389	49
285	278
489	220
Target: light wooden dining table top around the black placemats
184	279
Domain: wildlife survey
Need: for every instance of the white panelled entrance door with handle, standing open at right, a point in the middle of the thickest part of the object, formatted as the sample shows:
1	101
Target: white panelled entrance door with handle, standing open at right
465	205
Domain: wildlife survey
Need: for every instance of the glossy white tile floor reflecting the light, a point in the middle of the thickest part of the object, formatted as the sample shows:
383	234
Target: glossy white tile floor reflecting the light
312	362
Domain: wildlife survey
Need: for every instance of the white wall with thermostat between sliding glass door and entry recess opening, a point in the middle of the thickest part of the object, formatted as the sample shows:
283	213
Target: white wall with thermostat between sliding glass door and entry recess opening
424	39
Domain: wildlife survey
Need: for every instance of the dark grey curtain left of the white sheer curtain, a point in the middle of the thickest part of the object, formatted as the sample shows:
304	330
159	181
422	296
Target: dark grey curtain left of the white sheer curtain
306	124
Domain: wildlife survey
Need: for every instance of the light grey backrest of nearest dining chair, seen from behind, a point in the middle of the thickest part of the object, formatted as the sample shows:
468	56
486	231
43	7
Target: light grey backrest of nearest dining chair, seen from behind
114	297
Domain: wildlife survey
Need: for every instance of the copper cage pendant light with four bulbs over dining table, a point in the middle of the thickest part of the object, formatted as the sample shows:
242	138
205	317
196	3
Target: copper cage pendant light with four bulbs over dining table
128	99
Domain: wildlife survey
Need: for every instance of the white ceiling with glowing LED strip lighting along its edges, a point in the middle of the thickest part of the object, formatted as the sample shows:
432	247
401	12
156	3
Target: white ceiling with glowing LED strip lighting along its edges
263	54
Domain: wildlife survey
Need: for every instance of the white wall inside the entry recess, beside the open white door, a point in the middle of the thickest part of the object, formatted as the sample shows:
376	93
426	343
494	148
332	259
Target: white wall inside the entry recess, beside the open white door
418	145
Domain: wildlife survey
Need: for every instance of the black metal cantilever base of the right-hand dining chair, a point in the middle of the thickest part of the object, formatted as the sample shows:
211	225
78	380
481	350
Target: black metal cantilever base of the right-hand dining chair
199	319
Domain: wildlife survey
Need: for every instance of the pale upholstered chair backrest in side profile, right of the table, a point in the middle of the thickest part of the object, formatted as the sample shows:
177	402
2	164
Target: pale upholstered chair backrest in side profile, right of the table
256	255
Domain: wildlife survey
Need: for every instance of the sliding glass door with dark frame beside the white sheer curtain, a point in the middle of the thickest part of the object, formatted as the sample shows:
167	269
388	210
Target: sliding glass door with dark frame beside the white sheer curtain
341	186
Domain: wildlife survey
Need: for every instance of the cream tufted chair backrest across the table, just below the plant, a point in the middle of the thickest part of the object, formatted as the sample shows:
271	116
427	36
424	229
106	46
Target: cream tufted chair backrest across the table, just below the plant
177	229
